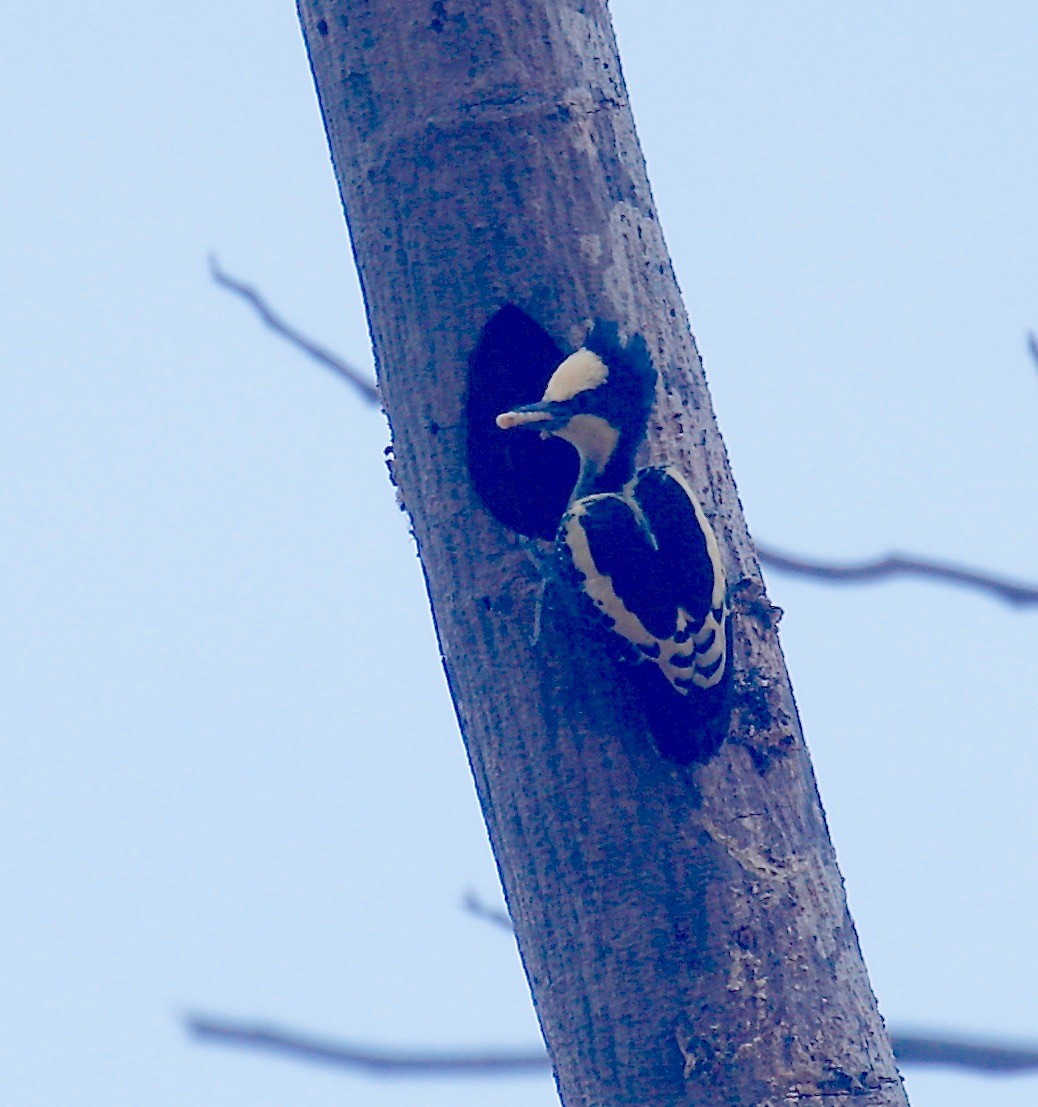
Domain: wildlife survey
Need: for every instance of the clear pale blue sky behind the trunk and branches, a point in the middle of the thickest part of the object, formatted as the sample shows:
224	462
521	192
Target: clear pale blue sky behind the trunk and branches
221	792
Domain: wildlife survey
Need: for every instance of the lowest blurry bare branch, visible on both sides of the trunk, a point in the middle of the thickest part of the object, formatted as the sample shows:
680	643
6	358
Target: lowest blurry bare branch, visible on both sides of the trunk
932	1050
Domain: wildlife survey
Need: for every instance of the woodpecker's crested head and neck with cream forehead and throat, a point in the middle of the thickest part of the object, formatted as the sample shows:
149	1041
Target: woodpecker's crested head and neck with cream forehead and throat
599	400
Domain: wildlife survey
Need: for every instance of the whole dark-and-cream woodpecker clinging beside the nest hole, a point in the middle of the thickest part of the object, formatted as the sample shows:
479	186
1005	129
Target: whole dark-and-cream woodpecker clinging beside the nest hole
637	542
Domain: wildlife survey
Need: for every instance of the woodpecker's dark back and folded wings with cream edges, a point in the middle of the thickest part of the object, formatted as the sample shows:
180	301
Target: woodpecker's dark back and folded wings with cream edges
649	561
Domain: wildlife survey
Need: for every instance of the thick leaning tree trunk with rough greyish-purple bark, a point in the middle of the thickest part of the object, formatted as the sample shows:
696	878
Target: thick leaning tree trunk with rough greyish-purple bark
684	930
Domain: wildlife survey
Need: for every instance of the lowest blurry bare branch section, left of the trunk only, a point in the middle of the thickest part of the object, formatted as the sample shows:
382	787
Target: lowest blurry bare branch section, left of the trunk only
375	1062
